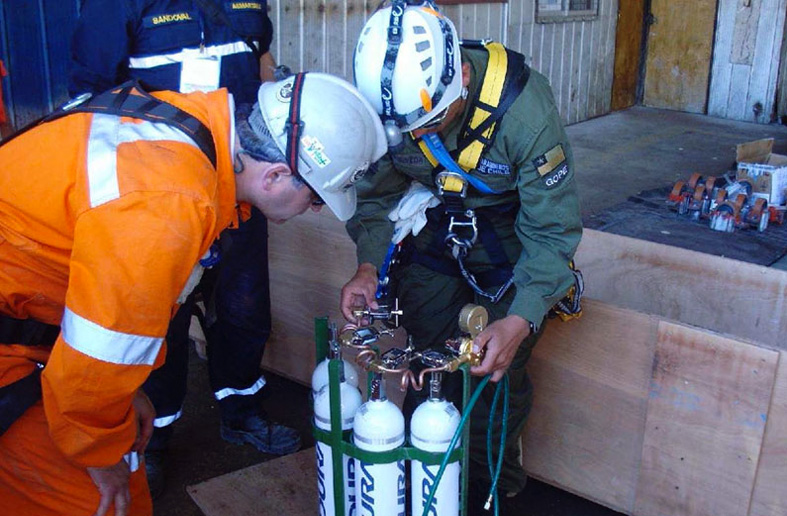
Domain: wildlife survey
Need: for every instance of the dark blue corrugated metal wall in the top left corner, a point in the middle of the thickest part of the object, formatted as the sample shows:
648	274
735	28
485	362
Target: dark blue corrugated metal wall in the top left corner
34	42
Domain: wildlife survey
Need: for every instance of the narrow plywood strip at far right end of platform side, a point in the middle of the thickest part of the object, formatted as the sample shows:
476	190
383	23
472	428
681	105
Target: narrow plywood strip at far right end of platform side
770	489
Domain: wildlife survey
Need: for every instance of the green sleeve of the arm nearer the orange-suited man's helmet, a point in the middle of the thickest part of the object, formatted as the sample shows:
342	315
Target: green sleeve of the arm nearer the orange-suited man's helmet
379	191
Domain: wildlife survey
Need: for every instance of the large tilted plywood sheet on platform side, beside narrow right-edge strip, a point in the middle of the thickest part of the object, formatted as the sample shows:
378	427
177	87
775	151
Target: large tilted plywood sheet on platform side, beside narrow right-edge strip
709	400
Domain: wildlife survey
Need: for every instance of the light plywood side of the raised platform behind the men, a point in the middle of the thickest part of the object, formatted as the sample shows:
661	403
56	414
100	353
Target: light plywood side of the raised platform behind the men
667	397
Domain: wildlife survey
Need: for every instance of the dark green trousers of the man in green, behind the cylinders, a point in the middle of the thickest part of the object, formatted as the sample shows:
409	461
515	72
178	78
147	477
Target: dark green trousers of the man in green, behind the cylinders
431	303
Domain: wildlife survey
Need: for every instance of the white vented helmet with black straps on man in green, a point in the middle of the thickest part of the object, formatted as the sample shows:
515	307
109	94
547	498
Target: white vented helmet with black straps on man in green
424	72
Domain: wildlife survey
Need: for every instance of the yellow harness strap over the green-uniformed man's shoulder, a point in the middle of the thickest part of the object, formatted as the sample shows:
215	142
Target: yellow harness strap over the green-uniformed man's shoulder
491	92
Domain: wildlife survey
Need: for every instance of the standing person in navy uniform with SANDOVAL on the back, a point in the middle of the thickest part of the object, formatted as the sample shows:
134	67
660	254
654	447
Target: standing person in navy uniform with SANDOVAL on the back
186	45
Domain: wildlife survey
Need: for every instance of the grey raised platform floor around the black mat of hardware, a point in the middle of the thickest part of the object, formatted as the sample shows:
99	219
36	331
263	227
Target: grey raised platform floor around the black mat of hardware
623	153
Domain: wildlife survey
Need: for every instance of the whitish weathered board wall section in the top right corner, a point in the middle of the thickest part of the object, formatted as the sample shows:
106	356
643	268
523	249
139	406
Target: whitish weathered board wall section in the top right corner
746	59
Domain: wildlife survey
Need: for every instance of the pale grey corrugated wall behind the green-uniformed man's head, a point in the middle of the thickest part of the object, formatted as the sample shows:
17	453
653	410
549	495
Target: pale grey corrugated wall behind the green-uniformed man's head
577	57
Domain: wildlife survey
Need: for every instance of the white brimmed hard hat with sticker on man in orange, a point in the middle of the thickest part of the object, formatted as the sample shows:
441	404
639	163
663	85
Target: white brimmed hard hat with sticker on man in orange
339	134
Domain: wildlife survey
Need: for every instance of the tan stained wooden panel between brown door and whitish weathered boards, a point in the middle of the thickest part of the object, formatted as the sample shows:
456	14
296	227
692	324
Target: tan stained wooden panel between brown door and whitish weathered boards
679	54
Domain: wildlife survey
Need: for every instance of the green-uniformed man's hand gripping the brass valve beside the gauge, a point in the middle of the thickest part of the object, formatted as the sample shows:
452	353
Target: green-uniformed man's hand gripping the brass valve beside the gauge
501	340
